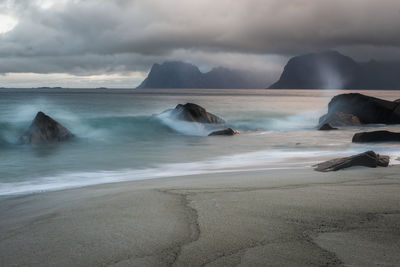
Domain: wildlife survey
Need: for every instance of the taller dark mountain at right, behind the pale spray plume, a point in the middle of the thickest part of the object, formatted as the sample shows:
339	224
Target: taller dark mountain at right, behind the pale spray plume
332	70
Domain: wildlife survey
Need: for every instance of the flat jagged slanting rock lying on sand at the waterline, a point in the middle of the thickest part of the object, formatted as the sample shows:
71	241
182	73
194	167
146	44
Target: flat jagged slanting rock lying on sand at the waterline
367	159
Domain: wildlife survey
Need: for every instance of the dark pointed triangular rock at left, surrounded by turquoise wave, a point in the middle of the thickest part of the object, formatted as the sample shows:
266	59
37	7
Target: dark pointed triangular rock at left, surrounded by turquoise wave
45	130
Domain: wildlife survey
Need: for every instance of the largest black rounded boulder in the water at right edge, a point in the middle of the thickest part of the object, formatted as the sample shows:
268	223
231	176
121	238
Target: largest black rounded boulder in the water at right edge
368	110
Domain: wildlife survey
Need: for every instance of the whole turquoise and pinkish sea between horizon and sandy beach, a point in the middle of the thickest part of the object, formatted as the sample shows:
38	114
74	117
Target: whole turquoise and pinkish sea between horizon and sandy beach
121	136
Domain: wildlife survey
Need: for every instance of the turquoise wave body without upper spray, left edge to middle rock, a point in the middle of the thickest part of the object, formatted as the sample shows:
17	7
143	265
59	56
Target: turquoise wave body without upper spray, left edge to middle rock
111	127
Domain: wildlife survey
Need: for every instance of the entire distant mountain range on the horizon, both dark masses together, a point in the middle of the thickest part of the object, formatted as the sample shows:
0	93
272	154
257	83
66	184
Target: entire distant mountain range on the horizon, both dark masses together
327	70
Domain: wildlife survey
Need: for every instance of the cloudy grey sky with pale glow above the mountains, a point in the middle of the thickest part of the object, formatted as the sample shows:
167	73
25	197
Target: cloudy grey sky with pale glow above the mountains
113	43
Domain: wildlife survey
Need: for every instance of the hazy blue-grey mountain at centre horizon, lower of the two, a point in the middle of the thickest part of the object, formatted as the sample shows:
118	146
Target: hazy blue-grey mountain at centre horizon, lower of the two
176	74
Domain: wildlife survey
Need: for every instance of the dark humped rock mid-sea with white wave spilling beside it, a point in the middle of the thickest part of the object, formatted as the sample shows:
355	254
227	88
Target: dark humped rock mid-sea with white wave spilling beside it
195	113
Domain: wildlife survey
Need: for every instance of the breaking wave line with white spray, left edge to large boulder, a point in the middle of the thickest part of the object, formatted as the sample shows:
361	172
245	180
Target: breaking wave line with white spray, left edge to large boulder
113	125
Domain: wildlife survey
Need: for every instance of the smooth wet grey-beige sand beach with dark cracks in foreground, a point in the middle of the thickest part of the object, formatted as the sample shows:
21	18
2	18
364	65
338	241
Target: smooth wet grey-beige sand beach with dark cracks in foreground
259	218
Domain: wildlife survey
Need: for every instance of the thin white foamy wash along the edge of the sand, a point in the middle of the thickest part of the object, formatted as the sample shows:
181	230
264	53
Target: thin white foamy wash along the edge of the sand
252	161
